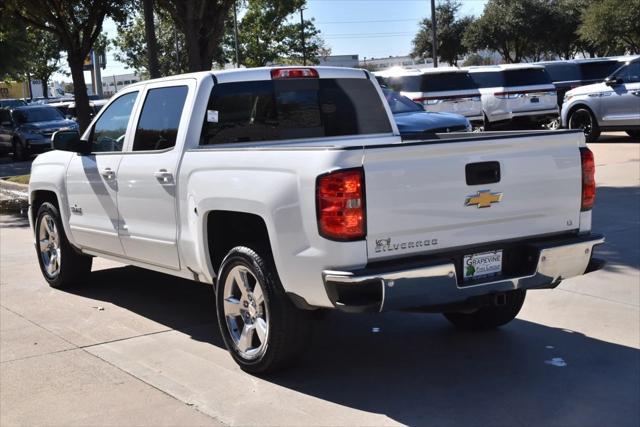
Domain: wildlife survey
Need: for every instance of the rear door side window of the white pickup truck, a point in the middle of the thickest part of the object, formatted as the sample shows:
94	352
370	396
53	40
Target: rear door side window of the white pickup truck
160	118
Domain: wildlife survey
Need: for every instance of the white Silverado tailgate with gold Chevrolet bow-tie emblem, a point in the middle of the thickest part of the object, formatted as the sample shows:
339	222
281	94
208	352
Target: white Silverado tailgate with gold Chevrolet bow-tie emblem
419	200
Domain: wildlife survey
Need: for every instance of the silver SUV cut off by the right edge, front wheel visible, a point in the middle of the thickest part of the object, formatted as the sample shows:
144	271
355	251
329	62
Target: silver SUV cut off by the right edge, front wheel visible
613	104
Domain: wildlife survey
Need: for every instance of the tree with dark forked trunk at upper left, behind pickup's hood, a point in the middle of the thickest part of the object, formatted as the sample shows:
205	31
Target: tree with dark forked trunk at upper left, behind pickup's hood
77	25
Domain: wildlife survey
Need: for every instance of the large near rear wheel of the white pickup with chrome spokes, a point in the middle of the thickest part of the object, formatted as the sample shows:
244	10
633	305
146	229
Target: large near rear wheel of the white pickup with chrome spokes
288	327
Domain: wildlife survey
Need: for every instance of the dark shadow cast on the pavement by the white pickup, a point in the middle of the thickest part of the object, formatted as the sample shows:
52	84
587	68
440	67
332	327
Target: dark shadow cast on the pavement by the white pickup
414	368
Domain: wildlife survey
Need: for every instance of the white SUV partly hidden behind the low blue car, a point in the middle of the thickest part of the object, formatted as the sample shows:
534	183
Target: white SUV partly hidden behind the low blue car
439	90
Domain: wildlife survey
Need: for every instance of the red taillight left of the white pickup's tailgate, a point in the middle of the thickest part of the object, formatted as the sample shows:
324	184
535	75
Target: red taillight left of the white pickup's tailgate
340	205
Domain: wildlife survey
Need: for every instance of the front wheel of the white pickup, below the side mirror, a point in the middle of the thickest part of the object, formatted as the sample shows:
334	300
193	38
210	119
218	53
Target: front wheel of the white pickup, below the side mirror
73	267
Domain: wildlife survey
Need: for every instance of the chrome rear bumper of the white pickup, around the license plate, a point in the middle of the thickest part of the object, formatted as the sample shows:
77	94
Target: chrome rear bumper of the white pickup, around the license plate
435	283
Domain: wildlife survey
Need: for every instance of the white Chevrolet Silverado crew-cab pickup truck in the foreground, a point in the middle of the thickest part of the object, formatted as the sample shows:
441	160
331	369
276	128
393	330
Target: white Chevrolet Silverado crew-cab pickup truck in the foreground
290	190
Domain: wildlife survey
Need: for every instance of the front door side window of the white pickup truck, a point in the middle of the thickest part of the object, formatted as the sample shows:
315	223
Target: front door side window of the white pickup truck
110	129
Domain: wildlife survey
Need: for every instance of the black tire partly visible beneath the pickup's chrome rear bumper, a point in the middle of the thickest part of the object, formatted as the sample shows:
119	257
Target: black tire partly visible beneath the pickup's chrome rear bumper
490	317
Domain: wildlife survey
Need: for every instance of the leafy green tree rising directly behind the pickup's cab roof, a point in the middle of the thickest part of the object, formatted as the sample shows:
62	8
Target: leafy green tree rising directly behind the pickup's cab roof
270	32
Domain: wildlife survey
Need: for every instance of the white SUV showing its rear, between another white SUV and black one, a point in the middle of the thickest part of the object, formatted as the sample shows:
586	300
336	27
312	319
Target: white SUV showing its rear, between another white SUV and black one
515	92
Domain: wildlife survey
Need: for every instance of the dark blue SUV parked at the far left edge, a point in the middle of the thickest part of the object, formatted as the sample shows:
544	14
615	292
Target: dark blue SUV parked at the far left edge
27	130
